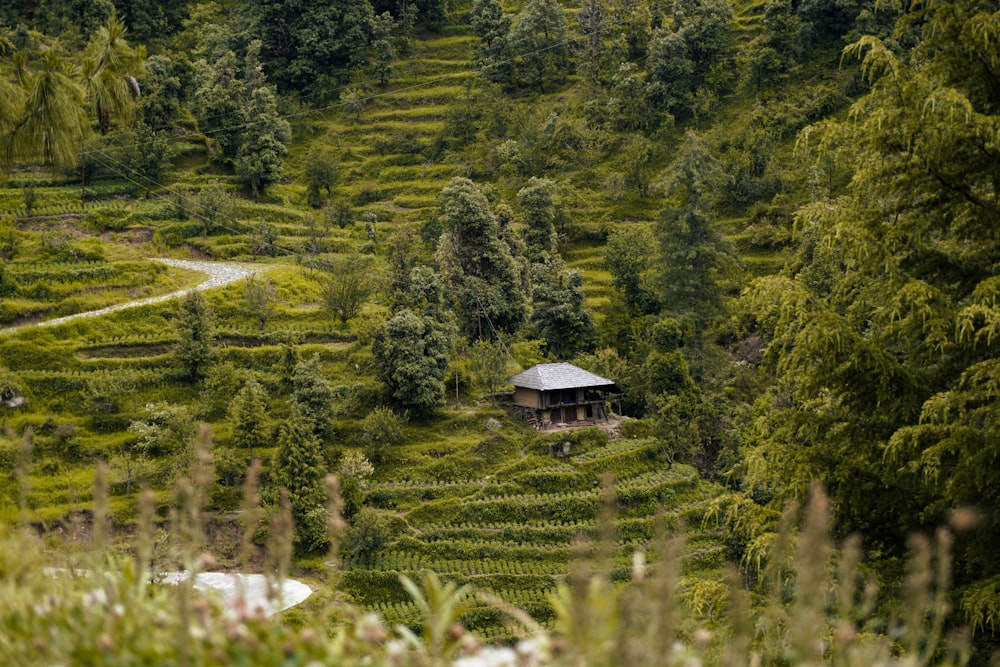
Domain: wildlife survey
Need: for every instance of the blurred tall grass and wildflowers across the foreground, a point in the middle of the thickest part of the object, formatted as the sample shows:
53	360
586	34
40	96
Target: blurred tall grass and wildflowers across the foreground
102	605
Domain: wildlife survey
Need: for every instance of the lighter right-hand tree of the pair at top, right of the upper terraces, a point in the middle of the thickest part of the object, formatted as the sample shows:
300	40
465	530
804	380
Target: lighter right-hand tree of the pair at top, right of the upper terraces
538	34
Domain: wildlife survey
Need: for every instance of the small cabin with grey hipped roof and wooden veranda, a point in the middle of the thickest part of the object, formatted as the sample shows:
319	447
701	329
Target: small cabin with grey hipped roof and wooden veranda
561	394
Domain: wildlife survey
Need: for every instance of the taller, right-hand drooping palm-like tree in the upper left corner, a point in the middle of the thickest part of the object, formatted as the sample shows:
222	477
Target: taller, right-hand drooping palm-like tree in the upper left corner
107	73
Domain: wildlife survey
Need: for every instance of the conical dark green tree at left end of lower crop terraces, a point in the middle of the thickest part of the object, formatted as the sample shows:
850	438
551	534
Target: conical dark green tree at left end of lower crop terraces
299	468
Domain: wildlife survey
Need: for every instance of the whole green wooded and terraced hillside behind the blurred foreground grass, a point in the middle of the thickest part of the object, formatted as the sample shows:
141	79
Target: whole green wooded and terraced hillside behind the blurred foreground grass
773	224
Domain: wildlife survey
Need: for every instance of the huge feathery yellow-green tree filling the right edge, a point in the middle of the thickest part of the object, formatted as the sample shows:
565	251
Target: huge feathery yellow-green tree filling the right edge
883	330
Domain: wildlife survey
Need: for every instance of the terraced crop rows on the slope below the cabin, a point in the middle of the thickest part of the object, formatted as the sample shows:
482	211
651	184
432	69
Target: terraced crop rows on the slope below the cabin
510	532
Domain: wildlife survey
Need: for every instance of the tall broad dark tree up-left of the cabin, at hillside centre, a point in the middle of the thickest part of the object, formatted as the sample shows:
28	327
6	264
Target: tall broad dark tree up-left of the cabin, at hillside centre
482	281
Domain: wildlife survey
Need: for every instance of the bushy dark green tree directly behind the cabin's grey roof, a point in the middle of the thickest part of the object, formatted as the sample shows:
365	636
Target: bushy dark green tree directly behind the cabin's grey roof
558	314
